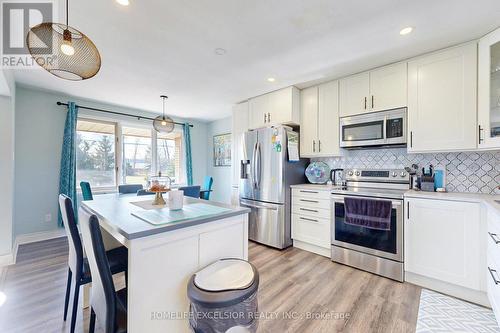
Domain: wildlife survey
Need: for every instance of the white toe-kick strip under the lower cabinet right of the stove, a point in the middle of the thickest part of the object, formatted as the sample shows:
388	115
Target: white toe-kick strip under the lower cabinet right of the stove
470	295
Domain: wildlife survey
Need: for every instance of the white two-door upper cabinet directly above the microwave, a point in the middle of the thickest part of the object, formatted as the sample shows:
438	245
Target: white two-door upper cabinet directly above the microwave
383	88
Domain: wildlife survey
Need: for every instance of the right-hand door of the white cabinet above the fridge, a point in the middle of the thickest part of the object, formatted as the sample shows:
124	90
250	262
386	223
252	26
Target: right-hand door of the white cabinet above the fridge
283	107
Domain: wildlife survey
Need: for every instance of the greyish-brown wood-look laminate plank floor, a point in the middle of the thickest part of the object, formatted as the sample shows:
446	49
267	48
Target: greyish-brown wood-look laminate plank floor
299	292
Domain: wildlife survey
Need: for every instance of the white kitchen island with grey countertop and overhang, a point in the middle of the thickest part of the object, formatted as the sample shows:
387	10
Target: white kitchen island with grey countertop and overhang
162	258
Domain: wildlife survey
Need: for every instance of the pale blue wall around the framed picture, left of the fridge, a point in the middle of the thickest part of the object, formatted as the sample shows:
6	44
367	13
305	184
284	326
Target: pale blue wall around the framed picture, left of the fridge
221	175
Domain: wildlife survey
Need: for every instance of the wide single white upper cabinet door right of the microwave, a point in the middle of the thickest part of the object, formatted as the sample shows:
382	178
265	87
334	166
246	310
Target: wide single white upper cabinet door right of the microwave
442	100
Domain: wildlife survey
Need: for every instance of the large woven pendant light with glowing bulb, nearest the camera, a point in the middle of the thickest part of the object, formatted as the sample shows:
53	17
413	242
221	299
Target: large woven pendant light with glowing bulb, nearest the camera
72	55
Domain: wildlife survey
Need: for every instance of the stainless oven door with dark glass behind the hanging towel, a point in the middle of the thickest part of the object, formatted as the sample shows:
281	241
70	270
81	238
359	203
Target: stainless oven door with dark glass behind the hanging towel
382	243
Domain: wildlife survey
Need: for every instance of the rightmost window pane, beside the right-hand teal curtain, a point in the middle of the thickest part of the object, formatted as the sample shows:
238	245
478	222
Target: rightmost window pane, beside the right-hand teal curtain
169	155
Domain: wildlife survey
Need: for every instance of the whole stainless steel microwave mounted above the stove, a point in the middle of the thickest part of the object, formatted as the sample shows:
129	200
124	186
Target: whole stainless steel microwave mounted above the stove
384	128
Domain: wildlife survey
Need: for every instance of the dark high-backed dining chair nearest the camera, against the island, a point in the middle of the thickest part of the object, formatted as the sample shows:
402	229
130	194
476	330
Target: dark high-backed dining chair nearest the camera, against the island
106	304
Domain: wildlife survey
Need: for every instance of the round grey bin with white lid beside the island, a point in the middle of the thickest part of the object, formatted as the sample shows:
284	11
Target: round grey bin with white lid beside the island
223	297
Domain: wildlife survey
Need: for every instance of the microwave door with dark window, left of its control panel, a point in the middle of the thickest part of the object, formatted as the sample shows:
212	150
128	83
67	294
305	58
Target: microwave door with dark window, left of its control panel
362	130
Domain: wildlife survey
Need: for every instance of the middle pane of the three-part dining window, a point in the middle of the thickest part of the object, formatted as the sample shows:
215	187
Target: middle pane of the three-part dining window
136	155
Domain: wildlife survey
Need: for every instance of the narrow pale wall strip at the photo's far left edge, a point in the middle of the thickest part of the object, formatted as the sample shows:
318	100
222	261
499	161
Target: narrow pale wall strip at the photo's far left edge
7	112
